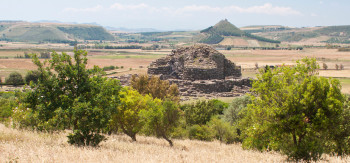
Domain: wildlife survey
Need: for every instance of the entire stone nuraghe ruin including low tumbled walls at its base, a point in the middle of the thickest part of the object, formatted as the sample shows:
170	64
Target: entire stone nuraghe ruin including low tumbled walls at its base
199	71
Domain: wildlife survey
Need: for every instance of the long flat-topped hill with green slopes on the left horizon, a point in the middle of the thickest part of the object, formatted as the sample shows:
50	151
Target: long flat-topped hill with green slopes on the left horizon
51	32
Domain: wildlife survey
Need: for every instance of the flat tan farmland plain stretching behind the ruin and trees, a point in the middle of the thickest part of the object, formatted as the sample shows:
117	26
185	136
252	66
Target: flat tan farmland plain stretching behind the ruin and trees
138	59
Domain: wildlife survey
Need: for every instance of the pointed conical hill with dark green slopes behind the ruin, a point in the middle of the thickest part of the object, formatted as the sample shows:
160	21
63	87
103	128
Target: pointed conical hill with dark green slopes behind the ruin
225	30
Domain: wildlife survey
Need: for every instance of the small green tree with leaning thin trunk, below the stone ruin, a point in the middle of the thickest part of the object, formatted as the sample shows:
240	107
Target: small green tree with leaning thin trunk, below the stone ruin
162	119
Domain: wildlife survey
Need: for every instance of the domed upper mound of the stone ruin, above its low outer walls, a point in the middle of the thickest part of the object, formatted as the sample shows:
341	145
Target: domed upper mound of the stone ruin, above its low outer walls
198	62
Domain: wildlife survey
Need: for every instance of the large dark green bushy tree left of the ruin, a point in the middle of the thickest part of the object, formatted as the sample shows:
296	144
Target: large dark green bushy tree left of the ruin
70	96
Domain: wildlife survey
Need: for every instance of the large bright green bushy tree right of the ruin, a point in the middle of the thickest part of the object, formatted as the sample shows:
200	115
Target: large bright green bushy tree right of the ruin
293	111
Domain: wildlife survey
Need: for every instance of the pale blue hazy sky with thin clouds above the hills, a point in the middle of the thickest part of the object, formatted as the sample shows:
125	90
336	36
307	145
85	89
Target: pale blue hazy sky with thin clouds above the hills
180	14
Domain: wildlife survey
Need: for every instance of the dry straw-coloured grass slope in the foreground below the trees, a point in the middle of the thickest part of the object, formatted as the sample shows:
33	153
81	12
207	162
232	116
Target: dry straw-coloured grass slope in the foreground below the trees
27	146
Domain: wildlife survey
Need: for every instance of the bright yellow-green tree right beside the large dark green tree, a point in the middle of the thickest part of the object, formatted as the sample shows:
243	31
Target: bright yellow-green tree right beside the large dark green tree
132	103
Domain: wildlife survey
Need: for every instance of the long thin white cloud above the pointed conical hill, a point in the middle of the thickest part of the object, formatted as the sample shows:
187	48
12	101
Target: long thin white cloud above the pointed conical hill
267	8
